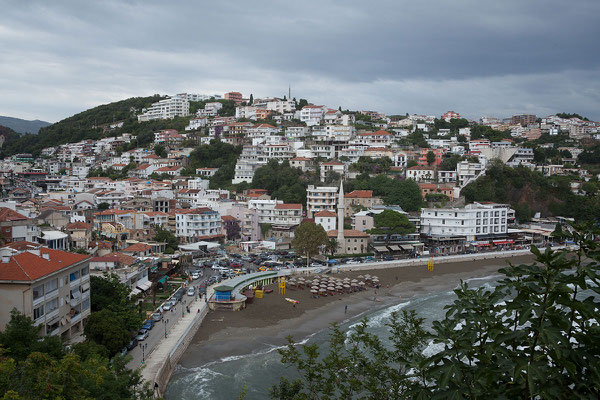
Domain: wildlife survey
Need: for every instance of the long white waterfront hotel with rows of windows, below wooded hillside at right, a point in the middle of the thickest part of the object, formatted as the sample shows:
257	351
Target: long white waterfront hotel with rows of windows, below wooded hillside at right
474	221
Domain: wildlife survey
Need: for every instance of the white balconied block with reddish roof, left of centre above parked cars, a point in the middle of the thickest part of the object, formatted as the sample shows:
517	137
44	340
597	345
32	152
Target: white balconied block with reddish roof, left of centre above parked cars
197	224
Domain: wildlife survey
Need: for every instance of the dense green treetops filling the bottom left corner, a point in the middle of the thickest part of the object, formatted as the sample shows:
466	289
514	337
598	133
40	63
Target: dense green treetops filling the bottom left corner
35	368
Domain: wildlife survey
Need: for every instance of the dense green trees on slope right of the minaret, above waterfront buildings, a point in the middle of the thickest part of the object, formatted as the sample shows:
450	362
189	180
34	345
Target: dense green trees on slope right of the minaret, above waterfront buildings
405	193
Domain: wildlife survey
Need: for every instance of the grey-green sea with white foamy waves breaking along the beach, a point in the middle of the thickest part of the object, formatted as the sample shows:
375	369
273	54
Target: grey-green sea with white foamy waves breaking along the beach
258	371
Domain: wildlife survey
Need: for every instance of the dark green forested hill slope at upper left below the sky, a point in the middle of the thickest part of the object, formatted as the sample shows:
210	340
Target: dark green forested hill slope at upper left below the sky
86	125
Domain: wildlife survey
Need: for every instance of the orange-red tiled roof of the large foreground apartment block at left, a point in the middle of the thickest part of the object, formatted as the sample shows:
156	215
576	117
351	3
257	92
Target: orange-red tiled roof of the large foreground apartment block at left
27	266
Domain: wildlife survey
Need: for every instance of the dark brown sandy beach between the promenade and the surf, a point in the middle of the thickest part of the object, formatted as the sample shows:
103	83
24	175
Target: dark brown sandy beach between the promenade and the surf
268	321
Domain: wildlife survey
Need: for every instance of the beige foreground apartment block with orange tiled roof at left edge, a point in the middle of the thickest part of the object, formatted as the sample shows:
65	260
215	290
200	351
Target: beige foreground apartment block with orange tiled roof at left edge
50	286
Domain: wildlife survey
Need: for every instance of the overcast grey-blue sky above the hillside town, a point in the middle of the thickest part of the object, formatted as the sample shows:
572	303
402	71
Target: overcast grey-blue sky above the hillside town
475	57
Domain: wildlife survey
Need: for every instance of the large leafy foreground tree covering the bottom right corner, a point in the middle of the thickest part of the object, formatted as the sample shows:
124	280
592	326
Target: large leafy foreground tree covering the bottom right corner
533	336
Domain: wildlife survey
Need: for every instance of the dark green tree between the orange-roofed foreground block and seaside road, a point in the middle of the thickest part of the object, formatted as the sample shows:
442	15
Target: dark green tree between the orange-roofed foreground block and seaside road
114	318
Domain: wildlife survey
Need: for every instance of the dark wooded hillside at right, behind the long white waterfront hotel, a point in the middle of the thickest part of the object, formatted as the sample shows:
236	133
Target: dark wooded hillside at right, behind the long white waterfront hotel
520	187
